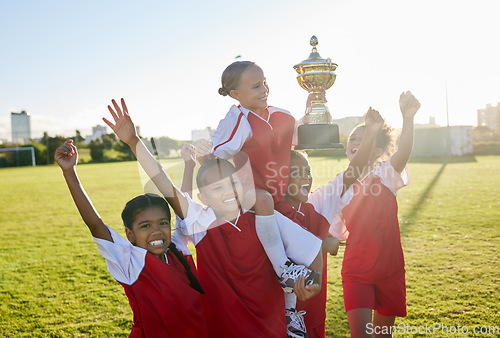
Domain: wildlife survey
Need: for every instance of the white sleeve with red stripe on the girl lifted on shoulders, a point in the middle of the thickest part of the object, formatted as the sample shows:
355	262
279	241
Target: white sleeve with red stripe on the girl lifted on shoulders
231	134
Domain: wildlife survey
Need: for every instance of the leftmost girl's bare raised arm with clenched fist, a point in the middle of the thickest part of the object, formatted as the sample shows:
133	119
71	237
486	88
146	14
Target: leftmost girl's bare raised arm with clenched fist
66	157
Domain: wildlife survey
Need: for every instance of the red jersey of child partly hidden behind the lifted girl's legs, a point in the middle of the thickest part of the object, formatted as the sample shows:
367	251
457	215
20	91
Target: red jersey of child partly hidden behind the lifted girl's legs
315	307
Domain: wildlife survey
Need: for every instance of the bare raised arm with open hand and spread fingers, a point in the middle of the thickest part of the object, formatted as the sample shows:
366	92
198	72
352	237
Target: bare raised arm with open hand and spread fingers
124	128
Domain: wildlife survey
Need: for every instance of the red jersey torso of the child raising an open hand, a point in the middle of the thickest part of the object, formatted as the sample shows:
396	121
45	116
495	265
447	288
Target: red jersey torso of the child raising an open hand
243	297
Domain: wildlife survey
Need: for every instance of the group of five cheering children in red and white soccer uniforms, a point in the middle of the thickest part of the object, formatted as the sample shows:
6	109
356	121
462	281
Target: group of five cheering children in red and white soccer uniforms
261	236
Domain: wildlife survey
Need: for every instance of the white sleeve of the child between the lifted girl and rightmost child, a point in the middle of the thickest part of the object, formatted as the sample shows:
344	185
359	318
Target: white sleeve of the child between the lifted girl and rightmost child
327	200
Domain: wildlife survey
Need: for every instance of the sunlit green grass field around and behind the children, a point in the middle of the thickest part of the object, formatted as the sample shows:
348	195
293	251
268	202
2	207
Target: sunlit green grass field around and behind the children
54	282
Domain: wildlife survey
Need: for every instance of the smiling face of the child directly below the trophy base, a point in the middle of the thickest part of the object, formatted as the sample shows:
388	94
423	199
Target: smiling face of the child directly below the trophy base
300	181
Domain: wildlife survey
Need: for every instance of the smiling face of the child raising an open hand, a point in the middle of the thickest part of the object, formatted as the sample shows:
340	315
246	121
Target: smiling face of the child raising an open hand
222	192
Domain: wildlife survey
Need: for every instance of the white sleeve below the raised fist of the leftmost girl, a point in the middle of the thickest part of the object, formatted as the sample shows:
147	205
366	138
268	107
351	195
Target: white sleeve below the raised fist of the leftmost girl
124	260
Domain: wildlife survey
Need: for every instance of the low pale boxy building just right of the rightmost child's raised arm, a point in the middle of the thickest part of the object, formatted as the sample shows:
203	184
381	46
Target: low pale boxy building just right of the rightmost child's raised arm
433	142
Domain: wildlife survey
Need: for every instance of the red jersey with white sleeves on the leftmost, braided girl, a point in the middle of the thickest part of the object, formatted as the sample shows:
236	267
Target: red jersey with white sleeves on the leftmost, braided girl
162	301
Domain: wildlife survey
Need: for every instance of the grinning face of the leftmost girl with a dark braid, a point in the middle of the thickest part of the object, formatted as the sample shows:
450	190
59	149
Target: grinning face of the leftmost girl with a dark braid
151	231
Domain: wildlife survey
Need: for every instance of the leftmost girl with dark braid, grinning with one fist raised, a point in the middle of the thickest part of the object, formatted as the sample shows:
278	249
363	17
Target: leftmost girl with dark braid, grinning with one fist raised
154	267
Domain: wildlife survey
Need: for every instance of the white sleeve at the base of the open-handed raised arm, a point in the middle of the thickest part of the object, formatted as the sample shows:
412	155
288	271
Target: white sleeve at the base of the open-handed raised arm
197	221
